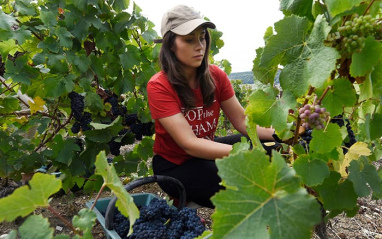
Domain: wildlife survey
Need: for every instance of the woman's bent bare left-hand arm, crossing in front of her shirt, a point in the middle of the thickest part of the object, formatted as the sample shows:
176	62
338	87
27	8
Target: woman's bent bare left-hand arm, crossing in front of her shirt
179	129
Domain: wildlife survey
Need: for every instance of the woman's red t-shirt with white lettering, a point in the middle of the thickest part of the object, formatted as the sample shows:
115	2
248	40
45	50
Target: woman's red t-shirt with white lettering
164	102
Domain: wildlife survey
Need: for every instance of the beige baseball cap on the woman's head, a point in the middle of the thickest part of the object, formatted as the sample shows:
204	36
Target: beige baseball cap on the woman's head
182	20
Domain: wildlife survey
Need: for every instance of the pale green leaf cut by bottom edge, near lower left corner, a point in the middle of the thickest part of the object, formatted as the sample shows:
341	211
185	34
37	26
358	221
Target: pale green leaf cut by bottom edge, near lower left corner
29	230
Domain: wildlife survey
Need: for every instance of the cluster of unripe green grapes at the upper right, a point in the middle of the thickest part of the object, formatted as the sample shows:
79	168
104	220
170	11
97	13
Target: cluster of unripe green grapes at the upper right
355	31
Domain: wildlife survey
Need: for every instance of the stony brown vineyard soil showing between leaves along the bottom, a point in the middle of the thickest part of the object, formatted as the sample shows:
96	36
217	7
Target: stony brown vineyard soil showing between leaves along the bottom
367	224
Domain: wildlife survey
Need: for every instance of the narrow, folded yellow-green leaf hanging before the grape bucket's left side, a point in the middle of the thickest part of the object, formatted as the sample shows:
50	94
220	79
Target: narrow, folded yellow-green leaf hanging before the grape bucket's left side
125	202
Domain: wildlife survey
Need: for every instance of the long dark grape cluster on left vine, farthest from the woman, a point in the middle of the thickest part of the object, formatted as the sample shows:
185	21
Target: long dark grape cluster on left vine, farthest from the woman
82	119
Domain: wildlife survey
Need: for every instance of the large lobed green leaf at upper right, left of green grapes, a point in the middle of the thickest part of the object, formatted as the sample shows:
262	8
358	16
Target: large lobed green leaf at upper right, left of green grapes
307	60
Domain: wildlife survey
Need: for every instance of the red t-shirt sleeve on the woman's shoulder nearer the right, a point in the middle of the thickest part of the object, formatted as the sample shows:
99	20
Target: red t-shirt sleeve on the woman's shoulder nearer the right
223	84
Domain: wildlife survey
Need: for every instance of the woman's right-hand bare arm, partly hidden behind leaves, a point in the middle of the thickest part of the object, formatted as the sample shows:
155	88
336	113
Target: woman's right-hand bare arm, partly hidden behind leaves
236	115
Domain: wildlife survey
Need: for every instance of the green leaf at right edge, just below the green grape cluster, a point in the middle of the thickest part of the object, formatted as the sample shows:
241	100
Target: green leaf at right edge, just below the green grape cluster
364	62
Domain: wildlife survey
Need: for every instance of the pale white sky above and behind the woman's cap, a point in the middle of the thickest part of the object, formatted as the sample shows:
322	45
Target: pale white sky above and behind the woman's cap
242	22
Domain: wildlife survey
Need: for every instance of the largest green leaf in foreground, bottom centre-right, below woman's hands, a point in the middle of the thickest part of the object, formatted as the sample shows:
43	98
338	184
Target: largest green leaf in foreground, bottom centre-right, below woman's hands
262	199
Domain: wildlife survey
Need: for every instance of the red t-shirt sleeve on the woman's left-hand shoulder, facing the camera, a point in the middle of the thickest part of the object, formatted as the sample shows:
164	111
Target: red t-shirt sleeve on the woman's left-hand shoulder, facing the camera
163	102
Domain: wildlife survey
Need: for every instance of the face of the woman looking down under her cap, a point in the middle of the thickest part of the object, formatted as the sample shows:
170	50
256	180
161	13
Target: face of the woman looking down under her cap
190	49
